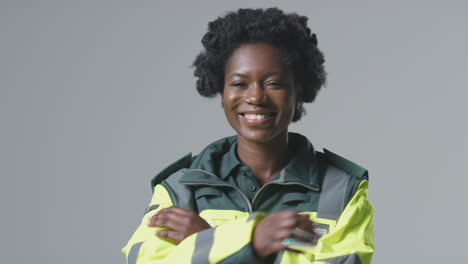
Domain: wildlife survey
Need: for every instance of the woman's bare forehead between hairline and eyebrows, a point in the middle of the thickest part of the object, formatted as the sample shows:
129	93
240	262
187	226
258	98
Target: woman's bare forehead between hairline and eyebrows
255	57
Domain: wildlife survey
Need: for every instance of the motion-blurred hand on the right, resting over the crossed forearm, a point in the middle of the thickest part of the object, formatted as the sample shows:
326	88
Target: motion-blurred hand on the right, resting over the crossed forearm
274	228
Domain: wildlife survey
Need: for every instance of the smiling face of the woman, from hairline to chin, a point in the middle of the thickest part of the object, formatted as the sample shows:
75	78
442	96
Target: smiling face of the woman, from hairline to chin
260	94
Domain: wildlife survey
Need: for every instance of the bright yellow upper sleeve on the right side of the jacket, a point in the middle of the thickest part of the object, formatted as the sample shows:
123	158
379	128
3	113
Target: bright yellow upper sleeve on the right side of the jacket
352	239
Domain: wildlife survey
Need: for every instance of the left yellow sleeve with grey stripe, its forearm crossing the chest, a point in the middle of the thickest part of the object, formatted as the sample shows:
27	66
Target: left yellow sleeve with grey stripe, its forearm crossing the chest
227	242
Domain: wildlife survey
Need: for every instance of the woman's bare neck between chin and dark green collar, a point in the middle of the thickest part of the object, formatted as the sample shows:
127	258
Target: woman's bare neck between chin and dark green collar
265	159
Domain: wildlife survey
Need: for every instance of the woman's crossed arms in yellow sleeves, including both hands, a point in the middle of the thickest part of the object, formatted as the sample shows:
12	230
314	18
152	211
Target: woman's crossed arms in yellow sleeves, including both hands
171	234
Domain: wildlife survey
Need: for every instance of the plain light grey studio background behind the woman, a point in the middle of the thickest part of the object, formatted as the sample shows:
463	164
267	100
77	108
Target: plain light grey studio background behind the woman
96	97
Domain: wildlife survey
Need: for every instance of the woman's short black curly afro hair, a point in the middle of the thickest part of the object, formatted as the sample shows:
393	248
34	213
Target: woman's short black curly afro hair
287	32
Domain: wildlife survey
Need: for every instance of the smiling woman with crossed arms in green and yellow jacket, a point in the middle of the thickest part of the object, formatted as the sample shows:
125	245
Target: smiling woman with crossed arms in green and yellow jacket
264	195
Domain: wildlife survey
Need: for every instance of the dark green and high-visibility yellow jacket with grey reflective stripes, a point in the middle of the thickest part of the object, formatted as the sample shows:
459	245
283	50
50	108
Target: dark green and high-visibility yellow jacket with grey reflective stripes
330	189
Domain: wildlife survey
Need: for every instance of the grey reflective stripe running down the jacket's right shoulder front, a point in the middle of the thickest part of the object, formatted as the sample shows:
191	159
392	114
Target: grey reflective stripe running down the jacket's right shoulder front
333	193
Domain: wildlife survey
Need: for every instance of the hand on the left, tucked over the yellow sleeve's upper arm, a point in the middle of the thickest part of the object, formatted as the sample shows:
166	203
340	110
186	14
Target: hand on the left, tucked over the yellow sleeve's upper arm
179	223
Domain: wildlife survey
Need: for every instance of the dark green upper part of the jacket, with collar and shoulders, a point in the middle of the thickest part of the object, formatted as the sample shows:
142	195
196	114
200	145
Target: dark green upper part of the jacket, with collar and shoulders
232	183
